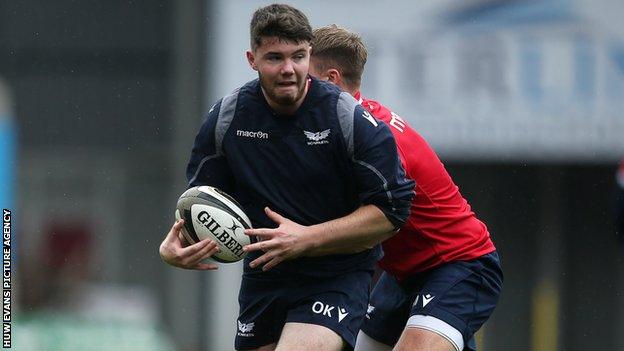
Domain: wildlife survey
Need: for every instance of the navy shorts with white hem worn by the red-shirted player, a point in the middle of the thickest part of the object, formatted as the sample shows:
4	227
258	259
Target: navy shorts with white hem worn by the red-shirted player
463	294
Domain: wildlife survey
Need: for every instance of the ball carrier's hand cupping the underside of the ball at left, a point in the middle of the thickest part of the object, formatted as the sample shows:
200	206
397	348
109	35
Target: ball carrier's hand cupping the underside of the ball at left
173	250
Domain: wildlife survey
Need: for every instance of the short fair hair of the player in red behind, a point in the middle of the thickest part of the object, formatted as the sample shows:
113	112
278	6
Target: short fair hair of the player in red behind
339	48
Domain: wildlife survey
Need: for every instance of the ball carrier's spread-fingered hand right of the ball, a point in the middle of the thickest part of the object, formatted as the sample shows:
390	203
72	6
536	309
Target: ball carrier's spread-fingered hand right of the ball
280	244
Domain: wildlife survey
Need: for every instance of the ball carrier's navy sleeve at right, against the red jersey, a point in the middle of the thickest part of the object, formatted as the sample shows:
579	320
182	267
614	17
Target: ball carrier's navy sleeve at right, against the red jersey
380	176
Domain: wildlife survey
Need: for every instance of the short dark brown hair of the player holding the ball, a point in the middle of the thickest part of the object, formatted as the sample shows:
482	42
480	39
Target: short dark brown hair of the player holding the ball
279	20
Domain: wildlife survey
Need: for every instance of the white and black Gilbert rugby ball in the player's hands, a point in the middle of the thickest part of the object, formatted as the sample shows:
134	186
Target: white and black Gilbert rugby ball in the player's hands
211	213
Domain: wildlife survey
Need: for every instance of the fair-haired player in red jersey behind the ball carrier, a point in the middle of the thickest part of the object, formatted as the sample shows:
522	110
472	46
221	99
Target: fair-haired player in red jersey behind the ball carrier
442	276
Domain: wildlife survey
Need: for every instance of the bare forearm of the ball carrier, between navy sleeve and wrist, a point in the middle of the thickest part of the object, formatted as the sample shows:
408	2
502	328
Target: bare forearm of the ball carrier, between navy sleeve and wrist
364	228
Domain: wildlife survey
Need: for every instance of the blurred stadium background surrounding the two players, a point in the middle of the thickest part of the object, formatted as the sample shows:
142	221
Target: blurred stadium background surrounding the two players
100	101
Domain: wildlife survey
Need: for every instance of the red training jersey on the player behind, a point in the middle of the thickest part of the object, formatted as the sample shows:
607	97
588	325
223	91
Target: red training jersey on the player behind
441	226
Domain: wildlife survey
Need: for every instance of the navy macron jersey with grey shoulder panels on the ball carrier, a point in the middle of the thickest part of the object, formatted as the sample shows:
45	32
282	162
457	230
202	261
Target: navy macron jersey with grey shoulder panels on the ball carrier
319	164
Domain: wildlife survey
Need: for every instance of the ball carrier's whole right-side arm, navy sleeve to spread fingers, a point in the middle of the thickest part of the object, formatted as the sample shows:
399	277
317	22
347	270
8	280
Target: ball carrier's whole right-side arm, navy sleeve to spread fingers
384	191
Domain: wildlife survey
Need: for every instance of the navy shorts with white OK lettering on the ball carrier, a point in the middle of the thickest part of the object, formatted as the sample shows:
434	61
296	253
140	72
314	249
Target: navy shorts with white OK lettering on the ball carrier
268	301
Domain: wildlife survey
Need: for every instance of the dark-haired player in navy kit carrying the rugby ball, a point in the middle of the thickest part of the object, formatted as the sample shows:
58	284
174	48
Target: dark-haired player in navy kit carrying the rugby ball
301	153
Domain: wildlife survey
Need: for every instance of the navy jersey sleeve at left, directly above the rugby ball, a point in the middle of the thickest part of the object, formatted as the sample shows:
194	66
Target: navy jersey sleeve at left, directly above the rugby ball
208	165
